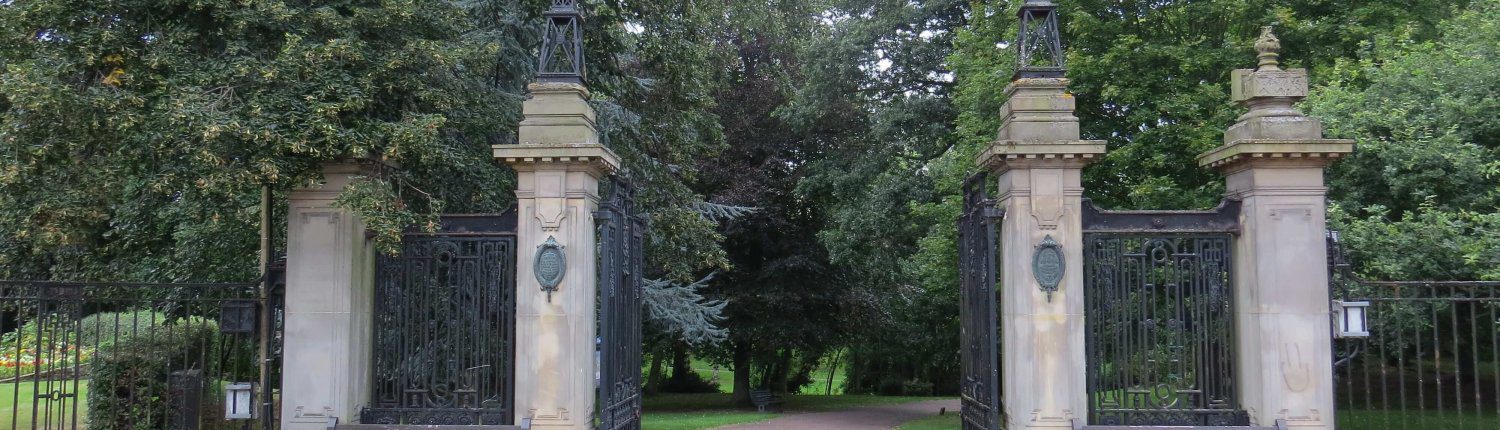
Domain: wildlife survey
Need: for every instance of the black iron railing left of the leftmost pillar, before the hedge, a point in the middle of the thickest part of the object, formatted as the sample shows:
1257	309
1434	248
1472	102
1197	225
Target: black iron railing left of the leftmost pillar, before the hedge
137	356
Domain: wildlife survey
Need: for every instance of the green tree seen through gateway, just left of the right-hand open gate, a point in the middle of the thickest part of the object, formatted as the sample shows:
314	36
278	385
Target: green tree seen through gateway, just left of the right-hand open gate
877	100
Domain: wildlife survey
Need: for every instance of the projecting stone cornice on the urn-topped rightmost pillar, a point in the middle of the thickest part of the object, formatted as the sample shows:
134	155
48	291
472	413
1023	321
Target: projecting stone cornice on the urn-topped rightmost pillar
1319	152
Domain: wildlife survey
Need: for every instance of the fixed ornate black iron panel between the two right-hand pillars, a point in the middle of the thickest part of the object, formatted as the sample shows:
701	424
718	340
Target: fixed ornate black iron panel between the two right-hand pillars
1160	318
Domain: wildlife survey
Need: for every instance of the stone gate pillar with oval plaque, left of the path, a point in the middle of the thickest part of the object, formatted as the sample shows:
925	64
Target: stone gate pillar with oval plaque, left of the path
559	167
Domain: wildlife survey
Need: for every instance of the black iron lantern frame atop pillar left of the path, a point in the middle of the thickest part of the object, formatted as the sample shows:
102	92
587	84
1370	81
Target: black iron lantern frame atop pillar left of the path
563	44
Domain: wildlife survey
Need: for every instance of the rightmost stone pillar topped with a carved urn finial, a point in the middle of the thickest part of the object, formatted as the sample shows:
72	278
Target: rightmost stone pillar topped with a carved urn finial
1274	160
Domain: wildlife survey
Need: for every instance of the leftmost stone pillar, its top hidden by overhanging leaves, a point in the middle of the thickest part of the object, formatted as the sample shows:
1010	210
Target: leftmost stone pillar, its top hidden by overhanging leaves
331	270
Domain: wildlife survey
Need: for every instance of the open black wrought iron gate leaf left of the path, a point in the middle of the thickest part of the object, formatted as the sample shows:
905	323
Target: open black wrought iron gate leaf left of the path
622	234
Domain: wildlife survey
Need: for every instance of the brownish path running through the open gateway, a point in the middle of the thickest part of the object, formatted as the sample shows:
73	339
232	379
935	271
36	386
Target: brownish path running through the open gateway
860	419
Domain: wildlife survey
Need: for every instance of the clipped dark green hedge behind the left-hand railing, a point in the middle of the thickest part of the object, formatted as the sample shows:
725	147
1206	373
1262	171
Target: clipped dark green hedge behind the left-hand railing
130	378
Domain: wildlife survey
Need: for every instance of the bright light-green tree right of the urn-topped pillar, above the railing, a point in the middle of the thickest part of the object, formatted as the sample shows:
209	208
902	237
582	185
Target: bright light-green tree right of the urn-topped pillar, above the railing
1420	197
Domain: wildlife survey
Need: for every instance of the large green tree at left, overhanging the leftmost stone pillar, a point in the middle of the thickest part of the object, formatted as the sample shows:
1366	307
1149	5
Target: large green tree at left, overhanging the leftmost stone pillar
136	136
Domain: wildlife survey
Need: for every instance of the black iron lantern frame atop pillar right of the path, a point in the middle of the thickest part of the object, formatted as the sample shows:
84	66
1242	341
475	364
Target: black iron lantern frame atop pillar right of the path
1039	43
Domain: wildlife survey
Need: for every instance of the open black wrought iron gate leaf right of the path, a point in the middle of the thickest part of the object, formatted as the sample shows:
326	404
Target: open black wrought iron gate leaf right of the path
980	335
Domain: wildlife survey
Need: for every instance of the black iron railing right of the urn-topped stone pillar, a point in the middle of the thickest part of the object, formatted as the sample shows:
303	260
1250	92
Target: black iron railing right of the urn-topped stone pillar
1432	359
